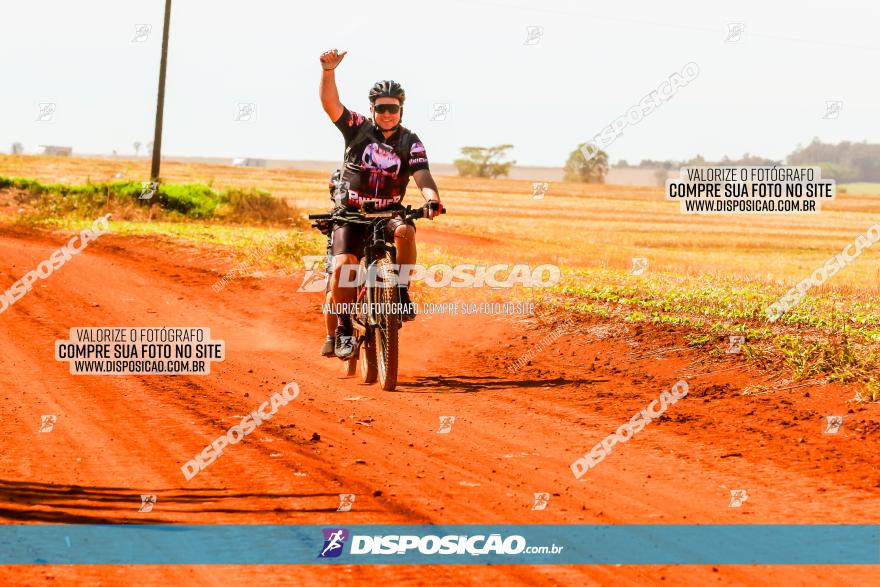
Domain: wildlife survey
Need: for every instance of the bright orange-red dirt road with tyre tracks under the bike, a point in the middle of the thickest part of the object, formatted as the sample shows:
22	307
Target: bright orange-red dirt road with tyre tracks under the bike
514	433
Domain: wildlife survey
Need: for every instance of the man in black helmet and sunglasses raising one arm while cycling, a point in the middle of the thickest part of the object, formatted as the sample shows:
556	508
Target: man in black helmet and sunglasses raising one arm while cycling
380	156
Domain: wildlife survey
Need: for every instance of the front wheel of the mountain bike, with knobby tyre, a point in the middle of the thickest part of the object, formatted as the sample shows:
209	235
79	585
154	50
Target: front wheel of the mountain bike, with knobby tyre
388	322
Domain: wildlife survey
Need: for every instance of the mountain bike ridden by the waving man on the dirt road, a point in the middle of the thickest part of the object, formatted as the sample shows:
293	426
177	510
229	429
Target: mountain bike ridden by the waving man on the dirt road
378	318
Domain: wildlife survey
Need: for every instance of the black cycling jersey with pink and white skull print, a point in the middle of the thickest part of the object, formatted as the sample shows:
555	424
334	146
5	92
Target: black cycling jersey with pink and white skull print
377	168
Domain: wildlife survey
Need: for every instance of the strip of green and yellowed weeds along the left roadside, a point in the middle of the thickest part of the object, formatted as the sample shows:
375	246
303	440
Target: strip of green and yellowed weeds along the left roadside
188	212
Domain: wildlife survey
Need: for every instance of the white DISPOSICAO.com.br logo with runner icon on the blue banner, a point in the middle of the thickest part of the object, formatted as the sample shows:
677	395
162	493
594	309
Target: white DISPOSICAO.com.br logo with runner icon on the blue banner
450	544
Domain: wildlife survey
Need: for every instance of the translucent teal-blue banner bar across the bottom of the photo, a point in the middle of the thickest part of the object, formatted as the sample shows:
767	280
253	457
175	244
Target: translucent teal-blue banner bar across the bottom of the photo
468	544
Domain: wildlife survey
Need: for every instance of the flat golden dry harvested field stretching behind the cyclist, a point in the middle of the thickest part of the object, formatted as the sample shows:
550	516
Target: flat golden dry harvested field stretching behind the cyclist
584	225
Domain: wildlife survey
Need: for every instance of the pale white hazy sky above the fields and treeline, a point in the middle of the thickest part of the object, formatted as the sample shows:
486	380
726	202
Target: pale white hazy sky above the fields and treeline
766	74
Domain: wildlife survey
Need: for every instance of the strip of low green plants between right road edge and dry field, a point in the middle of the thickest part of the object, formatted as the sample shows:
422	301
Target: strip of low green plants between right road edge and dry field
827	335
